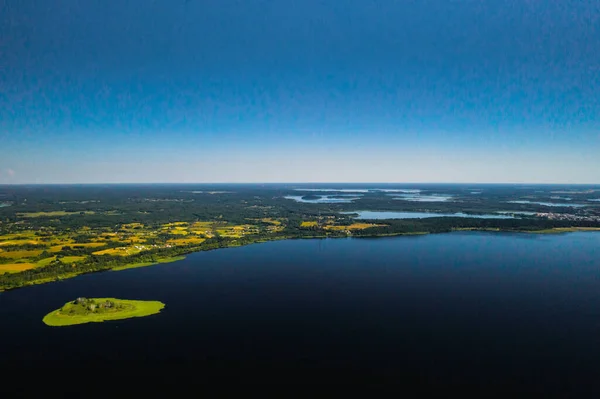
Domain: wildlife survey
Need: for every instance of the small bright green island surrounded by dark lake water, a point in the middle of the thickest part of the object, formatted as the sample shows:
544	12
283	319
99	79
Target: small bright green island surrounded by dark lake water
93	310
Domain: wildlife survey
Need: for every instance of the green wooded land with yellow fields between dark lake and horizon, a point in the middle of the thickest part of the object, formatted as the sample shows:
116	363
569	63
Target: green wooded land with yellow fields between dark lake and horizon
53	233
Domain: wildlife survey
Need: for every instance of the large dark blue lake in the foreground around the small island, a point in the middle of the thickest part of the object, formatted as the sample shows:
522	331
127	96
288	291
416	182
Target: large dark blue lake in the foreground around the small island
468	311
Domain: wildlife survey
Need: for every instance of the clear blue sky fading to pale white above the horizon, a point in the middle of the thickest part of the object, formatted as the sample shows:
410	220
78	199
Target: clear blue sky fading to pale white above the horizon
299	90
